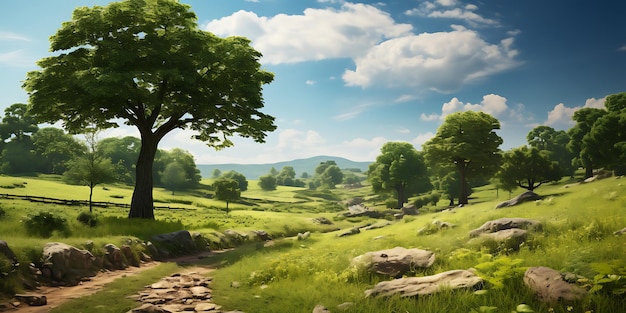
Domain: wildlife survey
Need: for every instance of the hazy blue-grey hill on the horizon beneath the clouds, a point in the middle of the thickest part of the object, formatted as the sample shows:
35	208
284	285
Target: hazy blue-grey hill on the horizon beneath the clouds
254	171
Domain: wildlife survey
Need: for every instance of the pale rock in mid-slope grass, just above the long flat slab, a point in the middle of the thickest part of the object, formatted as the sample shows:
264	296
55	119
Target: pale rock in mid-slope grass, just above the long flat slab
395	262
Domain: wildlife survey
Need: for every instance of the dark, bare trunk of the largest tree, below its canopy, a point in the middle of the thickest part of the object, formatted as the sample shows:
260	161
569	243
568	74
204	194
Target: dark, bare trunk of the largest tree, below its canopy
142	204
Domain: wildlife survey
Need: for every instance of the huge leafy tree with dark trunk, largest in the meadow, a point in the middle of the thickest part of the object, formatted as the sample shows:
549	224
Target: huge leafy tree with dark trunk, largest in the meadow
146	63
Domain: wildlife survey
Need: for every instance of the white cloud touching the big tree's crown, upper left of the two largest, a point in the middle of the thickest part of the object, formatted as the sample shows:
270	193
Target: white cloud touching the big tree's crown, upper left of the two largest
317	34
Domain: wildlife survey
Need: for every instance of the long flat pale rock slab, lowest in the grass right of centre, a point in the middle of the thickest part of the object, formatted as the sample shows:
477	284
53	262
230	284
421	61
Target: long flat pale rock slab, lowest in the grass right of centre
418	286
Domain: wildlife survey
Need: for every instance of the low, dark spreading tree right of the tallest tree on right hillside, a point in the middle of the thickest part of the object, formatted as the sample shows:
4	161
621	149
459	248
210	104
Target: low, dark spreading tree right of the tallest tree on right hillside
528	168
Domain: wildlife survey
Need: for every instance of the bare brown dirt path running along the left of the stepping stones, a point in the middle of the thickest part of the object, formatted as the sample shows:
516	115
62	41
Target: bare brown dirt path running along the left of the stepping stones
58	295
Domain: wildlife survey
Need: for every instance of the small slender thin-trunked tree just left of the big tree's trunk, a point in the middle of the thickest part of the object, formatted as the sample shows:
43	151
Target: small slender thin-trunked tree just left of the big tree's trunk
90	168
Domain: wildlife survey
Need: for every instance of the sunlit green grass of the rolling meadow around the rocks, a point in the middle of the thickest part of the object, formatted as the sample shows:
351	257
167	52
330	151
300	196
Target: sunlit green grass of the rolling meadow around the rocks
293	275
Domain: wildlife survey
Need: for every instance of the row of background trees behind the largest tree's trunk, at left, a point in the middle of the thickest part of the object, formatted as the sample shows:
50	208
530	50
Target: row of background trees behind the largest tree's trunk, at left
27	149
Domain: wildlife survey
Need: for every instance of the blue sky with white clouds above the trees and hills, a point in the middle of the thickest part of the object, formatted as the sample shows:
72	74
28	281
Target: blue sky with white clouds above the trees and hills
352	75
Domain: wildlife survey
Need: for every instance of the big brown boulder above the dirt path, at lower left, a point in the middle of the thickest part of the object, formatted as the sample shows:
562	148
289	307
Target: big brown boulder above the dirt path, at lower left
66	264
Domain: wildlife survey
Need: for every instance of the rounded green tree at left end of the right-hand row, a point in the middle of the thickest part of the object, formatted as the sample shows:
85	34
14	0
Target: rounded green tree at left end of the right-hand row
399	169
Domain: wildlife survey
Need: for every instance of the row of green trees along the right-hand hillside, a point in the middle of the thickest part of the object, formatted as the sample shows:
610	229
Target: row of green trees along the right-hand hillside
466	153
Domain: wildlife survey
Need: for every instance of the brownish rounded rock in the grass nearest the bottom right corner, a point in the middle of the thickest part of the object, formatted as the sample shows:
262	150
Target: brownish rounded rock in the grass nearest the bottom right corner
550	286
